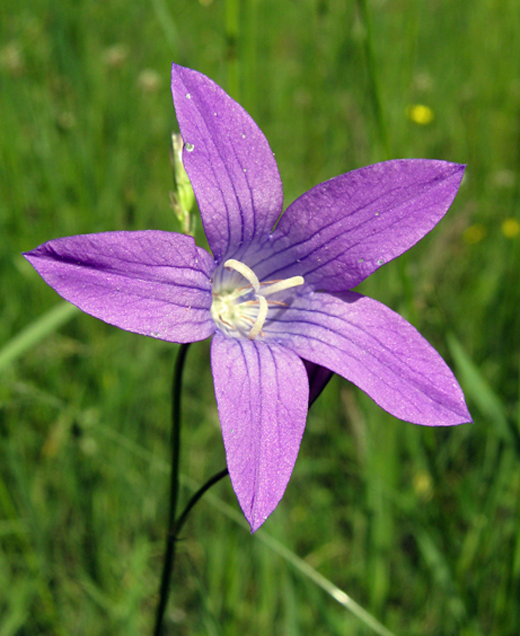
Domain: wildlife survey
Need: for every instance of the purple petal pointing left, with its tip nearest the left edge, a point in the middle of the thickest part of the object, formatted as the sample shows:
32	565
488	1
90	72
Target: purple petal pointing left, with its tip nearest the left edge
153	283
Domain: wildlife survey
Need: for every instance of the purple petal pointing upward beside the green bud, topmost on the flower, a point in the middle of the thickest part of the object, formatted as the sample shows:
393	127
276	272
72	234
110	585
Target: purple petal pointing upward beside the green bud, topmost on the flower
229	162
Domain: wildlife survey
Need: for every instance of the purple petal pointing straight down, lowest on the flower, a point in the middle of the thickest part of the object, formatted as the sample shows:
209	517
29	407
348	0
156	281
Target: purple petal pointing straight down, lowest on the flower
262	395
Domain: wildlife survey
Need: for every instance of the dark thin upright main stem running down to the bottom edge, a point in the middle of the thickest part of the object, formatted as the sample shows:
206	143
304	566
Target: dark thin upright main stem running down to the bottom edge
169	553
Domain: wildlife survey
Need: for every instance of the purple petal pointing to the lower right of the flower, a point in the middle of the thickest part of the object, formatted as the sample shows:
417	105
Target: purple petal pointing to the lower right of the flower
377	350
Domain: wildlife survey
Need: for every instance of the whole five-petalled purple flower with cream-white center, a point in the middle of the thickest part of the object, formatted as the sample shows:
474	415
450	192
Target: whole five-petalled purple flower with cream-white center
273	300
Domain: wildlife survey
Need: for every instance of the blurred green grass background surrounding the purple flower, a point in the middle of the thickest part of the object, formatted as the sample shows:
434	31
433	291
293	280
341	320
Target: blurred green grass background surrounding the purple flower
420	526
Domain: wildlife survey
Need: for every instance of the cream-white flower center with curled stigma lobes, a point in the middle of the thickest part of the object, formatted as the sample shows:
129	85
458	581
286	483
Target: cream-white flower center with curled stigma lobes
243	309
